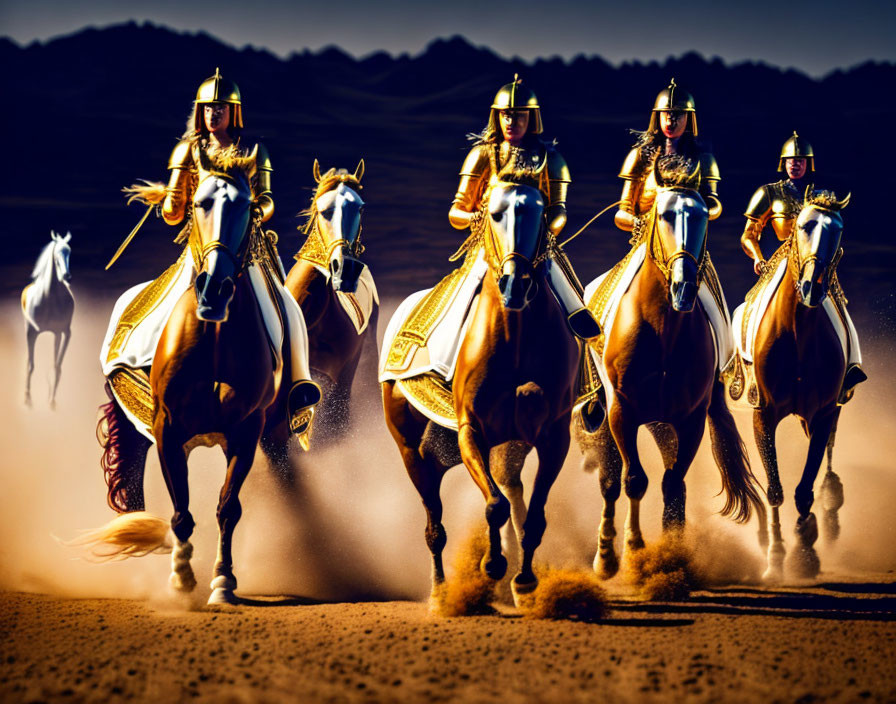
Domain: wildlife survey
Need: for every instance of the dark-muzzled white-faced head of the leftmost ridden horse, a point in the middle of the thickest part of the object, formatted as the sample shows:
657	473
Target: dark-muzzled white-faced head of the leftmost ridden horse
221	216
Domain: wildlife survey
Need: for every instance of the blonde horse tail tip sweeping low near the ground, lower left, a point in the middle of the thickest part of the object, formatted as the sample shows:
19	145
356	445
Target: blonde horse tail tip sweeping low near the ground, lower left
132	534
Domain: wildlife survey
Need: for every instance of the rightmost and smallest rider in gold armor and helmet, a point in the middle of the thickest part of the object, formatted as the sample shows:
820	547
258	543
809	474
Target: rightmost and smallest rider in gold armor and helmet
779	204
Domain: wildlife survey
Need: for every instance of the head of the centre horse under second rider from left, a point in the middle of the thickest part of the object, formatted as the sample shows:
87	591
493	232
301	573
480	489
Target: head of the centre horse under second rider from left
514	236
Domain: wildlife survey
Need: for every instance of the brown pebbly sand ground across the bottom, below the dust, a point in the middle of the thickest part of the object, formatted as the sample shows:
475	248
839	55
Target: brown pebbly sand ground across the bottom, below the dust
737	646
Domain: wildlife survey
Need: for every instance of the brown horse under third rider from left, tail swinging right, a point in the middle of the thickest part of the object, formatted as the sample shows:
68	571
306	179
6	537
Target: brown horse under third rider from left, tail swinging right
658	369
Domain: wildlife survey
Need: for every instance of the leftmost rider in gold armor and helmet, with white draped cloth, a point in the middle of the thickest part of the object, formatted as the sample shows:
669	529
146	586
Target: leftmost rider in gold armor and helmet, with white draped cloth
211	142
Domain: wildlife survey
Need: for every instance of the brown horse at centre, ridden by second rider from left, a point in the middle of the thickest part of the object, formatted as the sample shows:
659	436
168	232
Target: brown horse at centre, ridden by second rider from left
512	391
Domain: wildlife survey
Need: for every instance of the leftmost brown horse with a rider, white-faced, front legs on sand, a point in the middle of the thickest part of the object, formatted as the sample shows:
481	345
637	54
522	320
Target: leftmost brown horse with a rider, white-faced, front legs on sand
212	381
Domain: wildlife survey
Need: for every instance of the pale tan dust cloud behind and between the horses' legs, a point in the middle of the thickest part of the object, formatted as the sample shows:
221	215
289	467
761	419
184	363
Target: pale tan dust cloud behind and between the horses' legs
350	526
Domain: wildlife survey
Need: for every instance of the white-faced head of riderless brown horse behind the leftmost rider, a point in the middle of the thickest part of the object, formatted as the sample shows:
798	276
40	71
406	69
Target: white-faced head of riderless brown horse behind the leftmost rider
336	214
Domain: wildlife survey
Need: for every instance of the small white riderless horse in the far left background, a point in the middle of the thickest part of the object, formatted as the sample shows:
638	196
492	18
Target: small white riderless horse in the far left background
48	305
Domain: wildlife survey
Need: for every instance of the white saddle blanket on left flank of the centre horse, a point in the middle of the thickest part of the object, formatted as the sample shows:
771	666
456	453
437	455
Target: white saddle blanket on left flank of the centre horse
443	344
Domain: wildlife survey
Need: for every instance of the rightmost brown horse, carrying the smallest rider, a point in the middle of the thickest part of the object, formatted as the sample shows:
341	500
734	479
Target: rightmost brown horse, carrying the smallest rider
799	366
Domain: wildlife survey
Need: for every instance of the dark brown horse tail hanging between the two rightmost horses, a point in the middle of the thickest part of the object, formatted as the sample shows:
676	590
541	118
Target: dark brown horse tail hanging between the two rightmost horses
738	481
